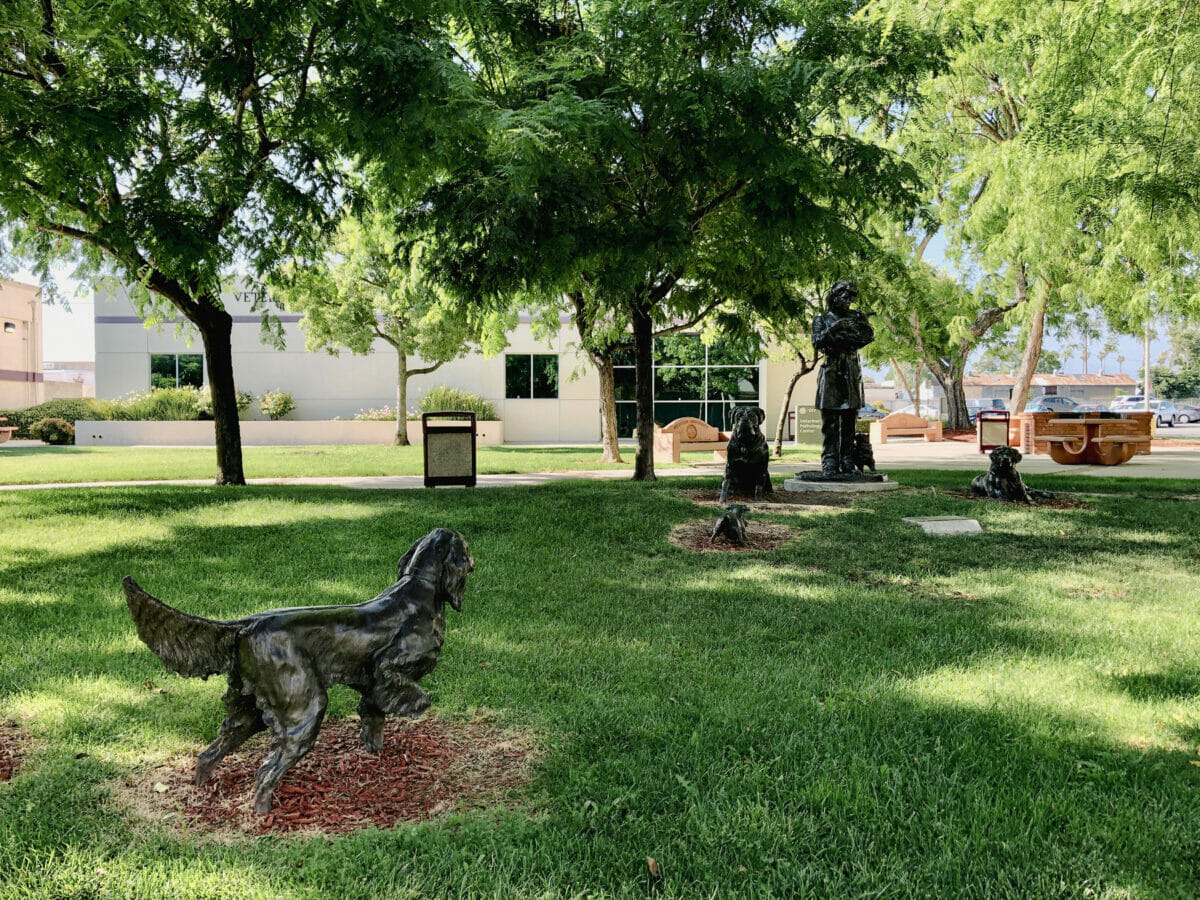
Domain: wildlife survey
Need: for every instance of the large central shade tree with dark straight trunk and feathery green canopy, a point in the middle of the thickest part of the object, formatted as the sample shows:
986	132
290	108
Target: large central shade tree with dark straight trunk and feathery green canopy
658	159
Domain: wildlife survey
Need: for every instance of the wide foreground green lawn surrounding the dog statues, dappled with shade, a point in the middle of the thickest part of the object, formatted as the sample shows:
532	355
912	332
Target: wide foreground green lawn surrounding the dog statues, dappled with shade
863	712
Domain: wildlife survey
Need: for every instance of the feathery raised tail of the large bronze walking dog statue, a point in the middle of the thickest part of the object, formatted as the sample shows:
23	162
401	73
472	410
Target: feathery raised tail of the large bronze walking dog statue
188	645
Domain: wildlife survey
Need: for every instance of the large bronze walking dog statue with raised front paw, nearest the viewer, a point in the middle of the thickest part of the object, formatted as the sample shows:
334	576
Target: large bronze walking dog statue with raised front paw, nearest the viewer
281	662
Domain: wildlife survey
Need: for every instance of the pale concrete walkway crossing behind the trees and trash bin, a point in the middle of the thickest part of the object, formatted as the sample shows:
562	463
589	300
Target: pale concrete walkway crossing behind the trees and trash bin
895	457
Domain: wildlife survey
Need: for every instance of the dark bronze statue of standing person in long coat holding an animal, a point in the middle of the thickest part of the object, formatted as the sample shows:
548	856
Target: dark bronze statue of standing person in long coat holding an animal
841	334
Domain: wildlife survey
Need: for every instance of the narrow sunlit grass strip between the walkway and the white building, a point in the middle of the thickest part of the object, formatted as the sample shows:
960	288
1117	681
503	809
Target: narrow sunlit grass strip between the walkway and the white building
52	465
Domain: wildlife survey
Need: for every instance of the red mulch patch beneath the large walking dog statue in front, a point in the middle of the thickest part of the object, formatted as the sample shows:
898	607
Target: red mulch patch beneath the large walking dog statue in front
427	769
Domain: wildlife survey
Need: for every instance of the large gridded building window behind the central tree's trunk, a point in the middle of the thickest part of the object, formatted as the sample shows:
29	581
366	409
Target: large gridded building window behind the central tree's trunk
692	380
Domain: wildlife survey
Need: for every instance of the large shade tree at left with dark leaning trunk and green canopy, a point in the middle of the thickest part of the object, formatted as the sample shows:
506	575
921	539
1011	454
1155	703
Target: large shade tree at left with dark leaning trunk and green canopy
178	143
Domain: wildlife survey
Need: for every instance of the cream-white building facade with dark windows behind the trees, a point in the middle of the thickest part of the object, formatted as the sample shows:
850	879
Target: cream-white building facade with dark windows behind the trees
544	391
